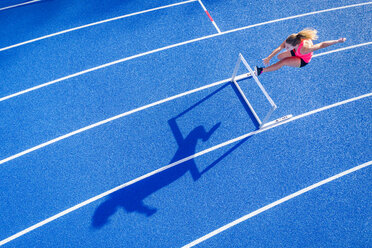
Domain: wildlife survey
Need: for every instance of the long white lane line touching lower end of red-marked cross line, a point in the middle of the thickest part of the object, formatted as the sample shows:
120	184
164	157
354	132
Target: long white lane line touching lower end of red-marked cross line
168	47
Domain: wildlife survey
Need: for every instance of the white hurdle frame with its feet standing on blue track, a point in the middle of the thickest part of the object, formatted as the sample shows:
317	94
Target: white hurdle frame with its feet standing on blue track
235	78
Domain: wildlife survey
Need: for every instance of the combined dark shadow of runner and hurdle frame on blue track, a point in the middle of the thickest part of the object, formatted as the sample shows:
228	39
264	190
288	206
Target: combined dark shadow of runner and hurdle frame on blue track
131	198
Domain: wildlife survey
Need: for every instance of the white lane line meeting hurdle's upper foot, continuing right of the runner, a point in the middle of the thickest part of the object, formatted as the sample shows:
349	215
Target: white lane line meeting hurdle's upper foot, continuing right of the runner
117	117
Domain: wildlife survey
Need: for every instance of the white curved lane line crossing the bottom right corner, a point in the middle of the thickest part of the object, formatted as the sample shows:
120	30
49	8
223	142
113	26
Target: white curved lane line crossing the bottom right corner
276	203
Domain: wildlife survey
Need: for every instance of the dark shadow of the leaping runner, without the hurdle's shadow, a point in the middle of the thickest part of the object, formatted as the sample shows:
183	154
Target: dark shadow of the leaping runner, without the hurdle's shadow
131	198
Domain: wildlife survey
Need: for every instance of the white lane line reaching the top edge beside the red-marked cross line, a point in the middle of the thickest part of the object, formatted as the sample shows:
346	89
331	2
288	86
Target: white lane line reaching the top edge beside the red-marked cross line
93	24
